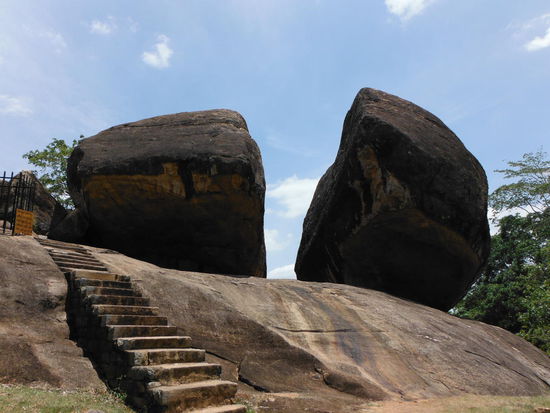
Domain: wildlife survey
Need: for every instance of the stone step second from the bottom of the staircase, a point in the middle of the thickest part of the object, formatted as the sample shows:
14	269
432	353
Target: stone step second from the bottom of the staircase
194	395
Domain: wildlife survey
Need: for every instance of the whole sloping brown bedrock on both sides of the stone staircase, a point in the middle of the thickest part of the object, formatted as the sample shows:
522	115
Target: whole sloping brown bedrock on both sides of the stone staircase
316	347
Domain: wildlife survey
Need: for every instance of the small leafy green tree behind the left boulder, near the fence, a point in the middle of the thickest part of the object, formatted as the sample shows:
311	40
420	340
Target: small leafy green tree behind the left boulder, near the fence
52	164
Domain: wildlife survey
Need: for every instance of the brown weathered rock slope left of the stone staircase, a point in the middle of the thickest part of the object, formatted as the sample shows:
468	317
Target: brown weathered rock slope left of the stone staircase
34	336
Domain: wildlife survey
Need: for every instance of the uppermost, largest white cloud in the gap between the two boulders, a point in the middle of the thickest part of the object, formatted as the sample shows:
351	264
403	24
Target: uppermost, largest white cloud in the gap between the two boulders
293	194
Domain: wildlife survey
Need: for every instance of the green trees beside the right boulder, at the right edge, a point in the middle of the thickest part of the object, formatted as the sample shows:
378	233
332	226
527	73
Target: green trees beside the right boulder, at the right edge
514	290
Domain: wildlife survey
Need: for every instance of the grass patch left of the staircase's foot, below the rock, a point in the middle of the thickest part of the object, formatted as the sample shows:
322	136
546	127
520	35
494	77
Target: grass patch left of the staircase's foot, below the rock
19	399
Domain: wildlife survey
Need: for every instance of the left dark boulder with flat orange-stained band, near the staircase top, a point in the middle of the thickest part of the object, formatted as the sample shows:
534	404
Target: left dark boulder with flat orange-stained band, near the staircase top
183	191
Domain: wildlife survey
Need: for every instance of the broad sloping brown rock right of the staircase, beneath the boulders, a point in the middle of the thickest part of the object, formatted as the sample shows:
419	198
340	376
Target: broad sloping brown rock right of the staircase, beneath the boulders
320	344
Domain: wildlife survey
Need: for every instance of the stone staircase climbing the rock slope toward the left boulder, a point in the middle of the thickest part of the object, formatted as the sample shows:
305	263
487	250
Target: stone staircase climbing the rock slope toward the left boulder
133	348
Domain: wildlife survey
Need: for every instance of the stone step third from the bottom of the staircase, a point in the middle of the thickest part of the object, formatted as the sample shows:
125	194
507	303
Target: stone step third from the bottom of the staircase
175	373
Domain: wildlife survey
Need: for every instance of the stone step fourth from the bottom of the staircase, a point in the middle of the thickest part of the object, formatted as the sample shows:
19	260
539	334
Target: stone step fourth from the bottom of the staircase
148	357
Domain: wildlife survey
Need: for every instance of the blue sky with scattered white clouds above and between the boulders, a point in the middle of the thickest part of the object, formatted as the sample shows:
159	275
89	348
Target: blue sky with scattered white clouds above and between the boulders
291	67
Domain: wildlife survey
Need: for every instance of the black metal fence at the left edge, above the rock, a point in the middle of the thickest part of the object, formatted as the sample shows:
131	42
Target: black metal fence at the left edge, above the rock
16	192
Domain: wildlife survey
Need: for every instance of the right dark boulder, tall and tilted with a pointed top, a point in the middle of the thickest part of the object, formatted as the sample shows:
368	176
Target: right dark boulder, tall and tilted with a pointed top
403	209
